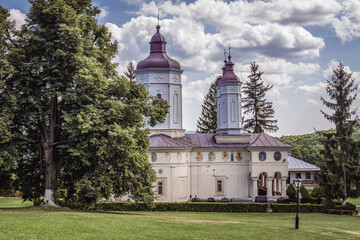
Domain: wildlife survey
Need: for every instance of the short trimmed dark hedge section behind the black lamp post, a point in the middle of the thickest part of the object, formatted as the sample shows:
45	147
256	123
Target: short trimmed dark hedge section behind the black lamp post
303	208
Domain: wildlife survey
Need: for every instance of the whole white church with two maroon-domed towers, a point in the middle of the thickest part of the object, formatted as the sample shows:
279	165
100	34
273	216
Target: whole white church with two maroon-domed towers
228	164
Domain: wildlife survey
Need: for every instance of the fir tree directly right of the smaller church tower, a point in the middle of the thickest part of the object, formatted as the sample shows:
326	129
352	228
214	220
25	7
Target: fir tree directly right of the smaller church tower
257	109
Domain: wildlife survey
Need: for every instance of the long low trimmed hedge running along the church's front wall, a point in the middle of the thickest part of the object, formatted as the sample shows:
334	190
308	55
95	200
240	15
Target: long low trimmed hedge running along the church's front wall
183	207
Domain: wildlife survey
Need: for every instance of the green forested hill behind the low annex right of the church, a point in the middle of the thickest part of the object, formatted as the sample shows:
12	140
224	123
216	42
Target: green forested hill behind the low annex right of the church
307	147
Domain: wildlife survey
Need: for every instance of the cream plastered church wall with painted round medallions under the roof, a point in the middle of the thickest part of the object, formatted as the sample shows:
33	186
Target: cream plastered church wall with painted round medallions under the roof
190	173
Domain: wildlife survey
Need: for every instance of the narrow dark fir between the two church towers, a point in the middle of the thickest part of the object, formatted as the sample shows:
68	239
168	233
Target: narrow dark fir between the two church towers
207	122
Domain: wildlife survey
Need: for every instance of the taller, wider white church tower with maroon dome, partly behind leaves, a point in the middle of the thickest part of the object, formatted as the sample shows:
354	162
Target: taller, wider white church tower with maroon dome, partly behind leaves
162	77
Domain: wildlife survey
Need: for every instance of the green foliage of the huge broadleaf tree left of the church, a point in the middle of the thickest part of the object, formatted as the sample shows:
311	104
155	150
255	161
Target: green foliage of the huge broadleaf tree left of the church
76	125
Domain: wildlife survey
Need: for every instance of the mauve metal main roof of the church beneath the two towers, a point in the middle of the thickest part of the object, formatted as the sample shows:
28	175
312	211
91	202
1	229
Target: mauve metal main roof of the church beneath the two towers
207	140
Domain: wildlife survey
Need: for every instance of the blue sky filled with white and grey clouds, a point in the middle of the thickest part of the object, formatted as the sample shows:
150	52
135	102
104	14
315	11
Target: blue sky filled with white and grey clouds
296	44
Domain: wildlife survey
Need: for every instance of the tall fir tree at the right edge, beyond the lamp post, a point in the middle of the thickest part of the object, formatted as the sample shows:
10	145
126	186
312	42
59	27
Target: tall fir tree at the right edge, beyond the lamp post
340	166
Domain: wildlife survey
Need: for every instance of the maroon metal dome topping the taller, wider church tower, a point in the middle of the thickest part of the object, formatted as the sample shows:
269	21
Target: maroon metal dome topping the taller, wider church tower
158	57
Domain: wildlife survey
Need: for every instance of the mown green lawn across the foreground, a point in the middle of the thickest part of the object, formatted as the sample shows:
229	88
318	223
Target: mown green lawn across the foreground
37	223
